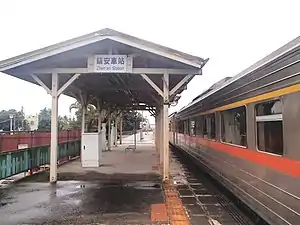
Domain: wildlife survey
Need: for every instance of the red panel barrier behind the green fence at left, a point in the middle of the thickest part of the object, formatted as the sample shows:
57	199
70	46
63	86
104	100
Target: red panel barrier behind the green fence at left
15	141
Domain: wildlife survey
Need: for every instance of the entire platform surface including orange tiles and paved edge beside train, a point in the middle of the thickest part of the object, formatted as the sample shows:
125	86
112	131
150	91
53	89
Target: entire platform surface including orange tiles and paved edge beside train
126	189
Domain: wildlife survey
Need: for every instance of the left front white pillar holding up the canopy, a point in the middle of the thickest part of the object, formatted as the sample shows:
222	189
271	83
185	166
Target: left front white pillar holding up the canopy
54	129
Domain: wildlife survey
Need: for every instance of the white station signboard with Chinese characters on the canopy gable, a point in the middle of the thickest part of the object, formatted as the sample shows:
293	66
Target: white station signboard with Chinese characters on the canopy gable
110	64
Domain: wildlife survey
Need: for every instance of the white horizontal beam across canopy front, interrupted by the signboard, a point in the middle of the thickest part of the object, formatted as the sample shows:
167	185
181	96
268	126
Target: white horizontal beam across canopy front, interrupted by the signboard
158	71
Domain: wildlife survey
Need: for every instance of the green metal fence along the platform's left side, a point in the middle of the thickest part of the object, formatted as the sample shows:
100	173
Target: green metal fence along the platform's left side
15	162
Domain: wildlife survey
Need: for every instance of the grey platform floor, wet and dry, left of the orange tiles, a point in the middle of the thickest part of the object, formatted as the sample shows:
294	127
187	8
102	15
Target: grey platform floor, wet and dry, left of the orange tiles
121	191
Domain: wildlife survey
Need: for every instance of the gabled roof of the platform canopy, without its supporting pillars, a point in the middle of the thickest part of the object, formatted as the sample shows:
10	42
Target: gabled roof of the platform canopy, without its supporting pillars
118	69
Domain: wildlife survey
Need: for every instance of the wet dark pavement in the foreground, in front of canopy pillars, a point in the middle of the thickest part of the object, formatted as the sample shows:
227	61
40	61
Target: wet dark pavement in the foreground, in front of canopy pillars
78	202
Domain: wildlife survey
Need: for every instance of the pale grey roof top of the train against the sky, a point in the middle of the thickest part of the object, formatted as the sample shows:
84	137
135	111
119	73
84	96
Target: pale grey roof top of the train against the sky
286	49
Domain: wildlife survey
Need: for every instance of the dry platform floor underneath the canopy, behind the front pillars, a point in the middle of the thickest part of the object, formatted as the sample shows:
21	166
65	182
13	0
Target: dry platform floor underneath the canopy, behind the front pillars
123	163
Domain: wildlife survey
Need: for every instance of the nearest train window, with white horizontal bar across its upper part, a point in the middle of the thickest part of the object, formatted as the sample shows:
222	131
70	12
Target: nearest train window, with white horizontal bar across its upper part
269	127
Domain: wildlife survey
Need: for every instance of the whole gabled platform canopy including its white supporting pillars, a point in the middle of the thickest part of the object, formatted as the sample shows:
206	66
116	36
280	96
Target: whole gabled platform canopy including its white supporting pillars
112	71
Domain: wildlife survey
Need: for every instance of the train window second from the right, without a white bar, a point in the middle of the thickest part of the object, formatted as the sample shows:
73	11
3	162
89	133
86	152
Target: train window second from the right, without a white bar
233	126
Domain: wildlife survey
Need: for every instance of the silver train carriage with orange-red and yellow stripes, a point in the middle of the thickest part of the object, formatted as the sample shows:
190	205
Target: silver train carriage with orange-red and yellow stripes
246	131
